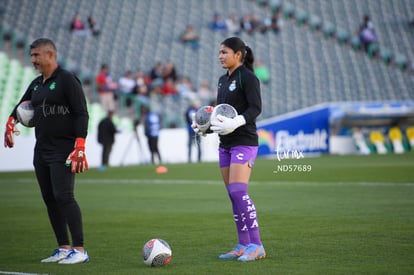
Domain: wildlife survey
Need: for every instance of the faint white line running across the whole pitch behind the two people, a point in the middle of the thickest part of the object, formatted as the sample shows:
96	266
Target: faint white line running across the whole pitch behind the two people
188	182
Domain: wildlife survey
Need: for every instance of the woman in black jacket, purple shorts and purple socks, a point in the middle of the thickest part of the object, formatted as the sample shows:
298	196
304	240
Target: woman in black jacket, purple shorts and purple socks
240	88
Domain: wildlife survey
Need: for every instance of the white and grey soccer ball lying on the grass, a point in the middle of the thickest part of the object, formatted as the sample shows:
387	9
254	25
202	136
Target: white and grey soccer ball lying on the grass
156	252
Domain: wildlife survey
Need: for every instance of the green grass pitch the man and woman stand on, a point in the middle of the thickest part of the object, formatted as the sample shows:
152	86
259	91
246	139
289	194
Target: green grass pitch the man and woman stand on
347	215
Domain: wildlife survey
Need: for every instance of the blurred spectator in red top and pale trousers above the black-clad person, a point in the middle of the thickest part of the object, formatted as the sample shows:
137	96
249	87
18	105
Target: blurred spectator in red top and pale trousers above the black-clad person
106	88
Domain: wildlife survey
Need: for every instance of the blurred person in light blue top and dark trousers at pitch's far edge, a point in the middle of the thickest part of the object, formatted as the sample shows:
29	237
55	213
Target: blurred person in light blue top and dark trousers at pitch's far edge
152	127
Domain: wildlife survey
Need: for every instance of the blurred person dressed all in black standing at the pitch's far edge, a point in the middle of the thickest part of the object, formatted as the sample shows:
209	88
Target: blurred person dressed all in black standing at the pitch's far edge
106	137
